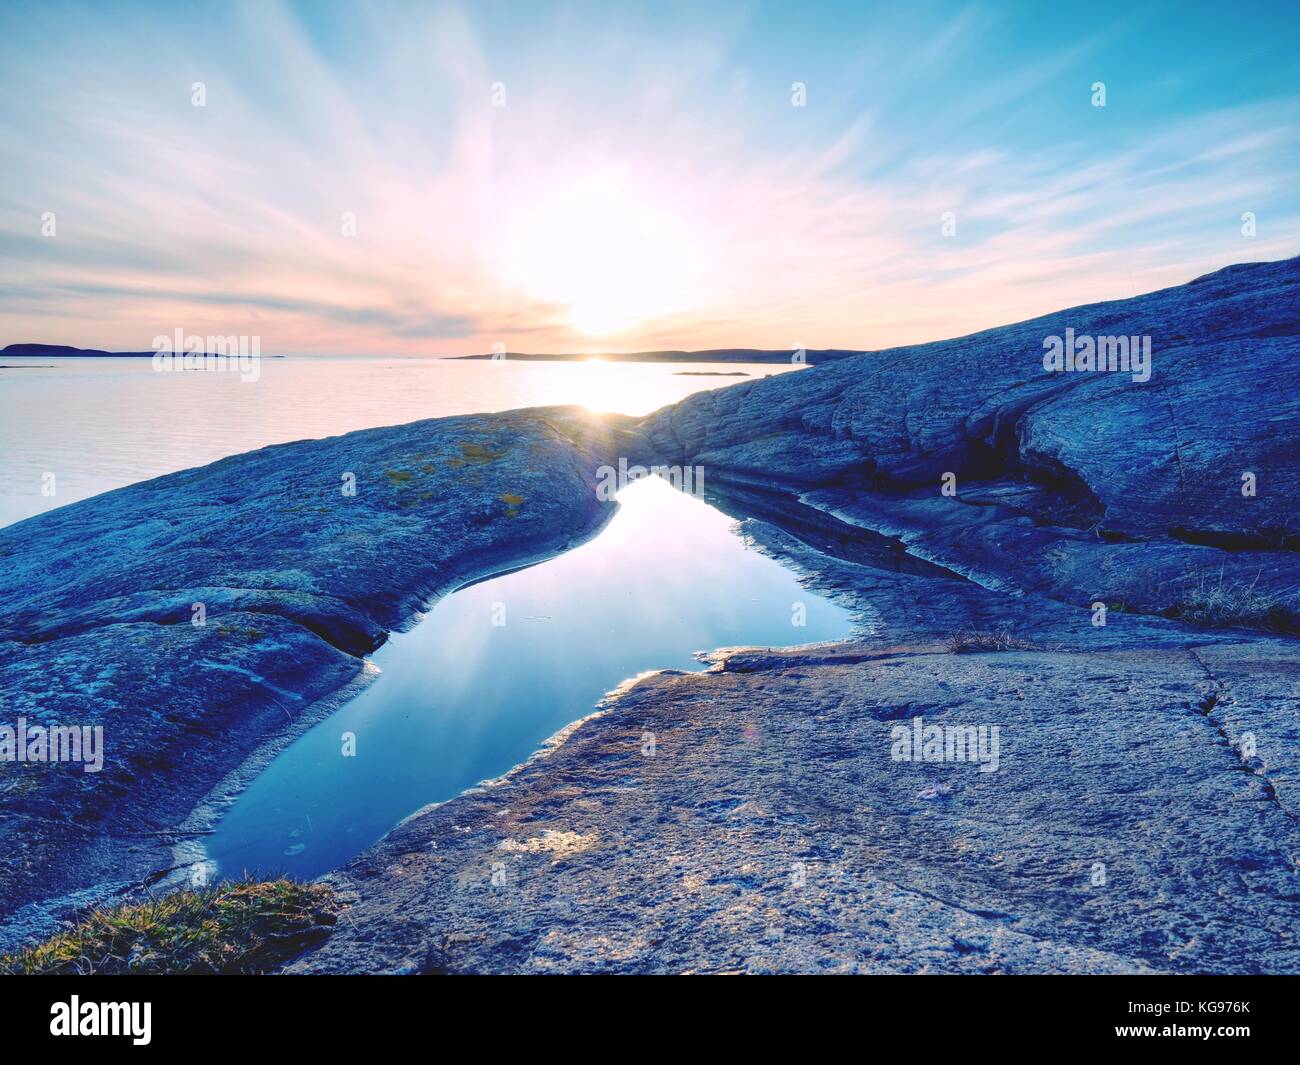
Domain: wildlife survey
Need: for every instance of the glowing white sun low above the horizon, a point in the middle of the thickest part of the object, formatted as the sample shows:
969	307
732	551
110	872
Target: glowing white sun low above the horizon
606	252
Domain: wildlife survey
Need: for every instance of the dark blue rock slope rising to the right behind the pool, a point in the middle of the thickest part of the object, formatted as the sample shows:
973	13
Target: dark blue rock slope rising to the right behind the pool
1081	487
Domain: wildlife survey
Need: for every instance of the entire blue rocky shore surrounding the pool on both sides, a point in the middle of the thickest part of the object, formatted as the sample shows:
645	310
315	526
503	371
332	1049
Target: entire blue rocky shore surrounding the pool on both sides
1143	816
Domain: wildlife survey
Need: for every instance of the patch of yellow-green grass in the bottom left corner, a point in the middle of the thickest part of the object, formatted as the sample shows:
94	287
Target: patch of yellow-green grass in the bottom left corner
246	927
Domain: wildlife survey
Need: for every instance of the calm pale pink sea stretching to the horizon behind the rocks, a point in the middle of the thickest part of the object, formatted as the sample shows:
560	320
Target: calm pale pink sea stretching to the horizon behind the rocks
97	425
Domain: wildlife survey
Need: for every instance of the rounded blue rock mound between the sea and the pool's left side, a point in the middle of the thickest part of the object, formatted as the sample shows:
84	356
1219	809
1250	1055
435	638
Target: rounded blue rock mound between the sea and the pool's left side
297	577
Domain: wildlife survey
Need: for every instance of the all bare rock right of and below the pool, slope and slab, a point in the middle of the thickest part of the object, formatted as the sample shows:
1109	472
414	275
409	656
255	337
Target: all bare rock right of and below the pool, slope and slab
1136	821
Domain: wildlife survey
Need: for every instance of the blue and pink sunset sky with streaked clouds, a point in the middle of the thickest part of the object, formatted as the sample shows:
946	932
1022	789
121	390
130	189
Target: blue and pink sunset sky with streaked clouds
437	179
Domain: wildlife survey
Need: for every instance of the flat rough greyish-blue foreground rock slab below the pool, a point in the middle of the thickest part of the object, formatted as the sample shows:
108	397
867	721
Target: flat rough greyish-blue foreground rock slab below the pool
773	832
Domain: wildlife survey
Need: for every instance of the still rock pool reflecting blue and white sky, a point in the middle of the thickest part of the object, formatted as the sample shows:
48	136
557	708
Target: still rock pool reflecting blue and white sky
462	700
